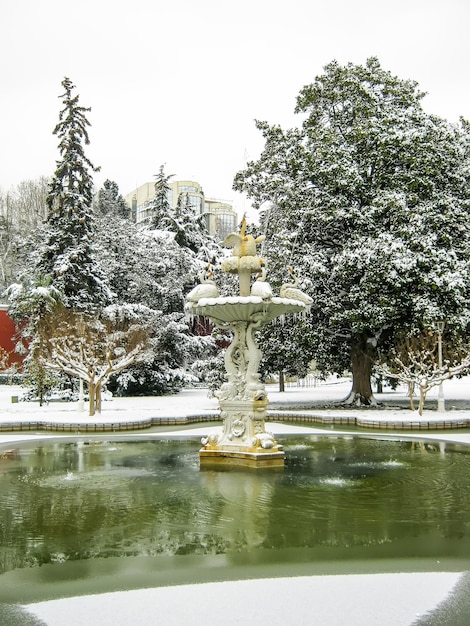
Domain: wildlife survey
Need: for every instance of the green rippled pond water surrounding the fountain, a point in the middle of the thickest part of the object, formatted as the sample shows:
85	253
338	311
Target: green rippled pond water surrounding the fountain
99	516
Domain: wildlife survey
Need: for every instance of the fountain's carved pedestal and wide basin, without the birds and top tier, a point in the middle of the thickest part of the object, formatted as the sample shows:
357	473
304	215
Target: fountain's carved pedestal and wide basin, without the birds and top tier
242	399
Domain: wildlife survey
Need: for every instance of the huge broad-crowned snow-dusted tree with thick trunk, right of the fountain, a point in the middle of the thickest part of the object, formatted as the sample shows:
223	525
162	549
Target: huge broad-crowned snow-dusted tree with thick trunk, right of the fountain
369	200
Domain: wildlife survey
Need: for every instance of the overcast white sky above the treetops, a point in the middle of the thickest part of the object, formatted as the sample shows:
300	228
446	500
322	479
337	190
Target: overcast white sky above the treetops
180	82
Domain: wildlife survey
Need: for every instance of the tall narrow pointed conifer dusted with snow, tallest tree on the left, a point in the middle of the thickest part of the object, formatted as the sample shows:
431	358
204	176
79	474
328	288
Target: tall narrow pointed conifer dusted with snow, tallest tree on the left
67	256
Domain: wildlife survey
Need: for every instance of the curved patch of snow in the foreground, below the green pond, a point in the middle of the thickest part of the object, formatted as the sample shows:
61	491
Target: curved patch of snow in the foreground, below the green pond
363	600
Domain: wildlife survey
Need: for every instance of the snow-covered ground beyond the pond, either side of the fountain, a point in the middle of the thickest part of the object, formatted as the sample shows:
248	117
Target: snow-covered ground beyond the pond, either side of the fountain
318	400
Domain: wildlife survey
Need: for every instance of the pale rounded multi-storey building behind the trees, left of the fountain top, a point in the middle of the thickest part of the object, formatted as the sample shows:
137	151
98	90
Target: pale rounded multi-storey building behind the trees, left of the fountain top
220	218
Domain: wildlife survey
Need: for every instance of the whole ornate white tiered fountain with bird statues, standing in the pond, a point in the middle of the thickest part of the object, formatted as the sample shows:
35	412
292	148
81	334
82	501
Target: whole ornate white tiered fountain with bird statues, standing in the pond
242	399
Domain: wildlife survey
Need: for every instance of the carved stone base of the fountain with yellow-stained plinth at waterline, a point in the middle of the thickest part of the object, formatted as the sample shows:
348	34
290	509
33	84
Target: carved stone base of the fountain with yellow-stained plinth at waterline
243	440
